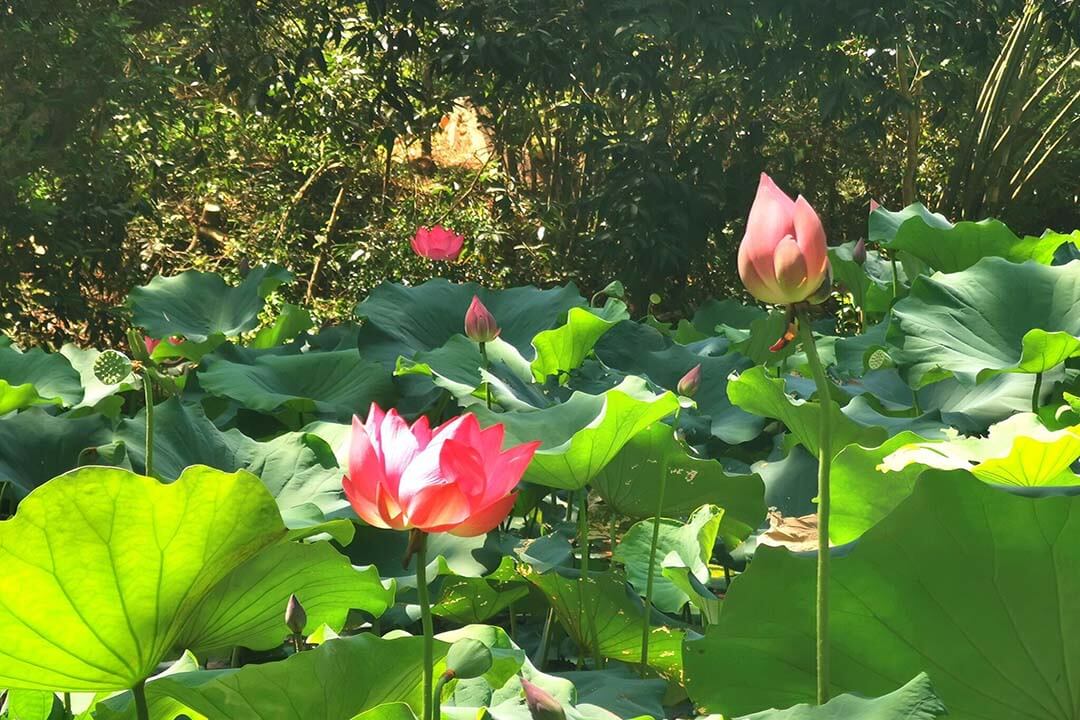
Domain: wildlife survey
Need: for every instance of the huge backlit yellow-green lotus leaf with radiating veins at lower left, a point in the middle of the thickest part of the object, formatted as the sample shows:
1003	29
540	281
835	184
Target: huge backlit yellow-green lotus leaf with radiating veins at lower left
144	567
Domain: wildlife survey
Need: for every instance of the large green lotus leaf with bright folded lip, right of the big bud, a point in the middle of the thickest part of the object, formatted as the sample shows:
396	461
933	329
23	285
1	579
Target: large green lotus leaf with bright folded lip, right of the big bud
994	317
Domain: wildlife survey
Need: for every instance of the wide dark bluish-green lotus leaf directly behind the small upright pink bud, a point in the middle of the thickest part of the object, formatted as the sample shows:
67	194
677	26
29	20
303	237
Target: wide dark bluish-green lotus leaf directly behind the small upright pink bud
402	321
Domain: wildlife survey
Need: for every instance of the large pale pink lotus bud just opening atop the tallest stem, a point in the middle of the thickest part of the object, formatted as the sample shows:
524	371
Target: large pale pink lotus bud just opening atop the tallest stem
784	259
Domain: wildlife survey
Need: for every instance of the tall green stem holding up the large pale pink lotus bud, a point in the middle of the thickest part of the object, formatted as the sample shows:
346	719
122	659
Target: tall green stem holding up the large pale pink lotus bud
825	463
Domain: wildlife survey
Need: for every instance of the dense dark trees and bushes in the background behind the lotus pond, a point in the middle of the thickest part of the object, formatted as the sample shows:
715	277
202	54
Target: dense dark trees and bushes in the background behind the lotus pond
142	138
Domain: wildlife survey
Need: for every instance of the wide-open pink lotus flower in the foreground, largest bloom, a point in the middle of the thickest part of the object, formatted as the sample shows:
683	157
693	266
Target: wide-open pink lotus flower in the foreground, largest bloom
455	479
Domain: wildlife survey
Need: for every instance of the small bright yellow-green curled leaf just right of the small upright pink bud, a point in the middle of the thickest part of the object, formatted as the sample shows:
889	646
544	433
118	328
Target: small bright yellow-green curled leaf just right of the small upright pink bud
563	349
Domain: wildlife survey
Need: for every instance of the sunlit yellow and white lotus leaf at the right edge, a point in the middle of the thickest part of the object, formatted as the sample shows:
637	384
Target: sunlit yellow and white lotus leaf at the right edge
1018	452
